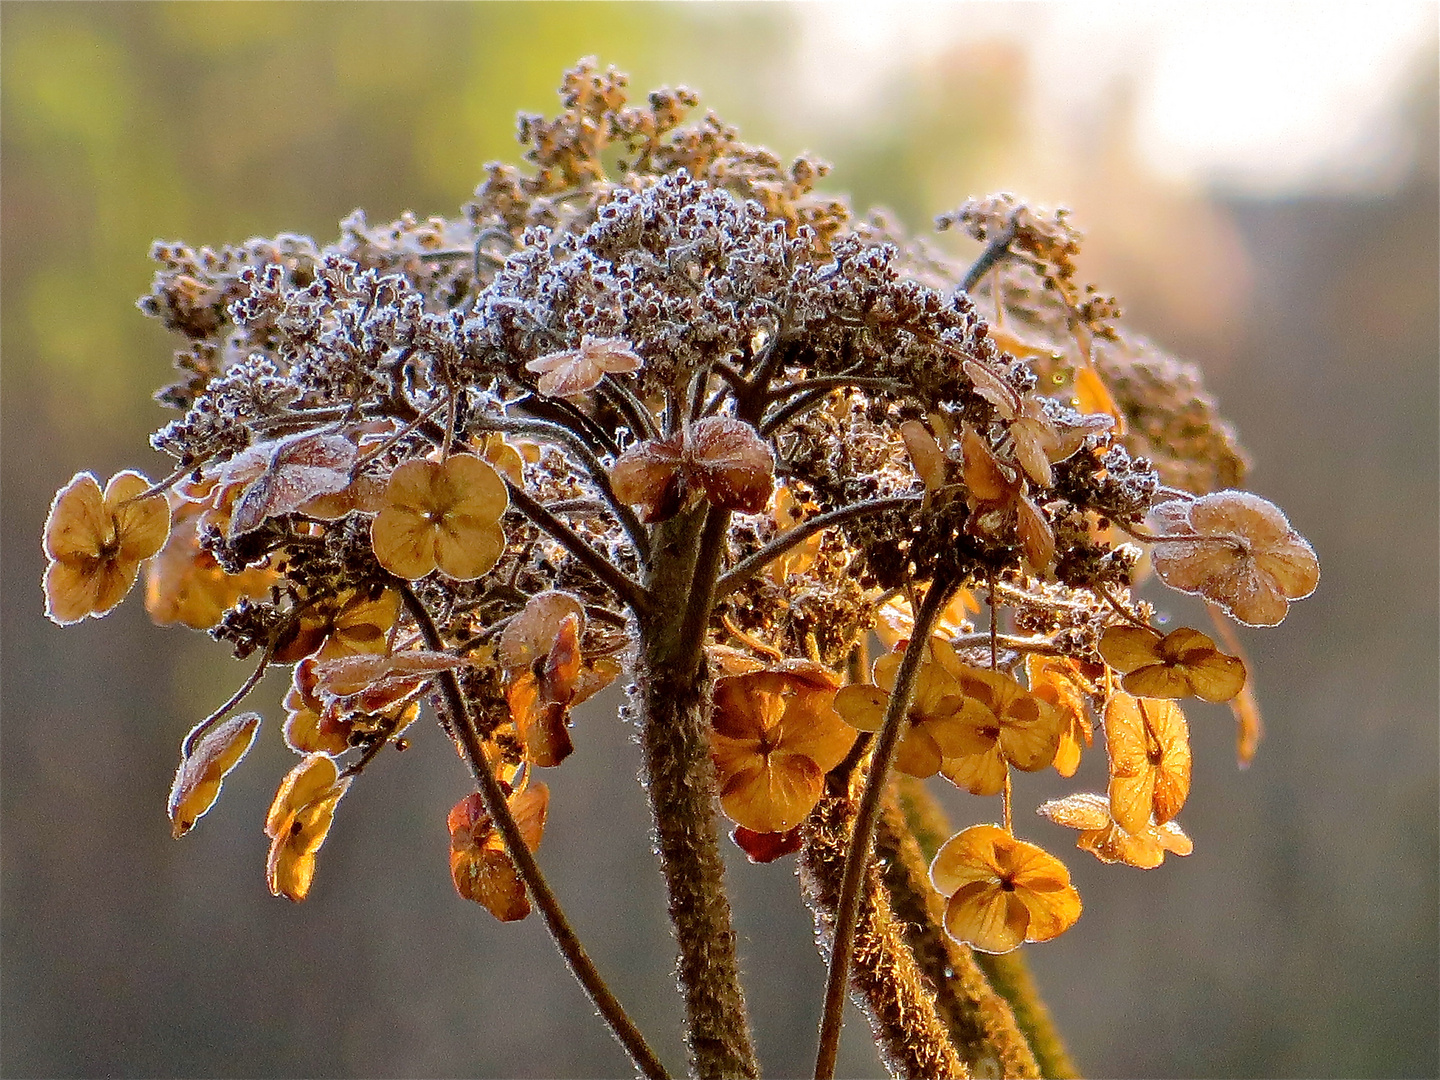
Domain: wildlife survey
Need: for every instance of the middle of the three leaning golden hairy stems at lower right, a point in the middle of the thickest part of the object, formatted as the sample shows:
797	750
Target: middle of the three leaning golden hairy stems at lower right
981	1023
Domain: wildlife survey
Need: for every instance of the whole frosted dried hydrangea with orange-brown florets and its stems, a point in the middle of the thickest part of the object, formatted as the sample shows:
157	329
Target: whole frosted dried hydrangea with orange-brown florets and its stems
653	410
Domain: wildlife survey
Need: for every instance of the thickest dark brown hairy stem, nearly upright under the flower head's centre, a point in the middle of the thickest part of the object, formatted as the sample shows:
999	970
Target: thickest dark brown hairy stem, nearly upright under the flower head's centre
673	695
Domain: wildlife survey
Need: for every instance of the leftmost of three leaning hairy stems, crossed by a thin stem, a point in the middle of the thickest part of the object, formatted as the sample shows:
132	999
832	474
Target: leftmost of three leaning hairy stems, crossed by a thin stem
885	978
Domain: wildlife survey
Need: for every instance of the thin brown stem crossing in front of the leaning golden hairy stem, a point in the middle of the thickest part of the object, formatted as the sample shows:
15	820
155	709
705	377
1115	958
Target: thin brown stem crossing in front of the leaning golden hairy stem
849	908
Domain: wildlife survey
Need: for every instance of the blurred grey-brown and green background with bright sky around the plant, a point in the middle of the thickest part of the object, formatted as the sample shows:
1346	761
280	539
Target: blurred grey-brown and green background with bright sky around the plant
1259	188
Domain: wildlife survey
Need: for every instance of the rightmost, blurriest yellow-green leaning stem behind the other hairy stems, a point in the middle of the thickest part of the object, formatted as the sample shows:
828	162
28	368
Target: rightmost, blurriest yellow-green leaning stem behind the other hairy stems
1009	990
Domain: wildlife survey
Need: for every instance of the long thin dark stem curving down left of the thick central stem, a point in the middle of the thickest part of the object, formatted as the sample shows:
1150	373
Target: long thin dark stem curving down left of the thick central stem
561	931
